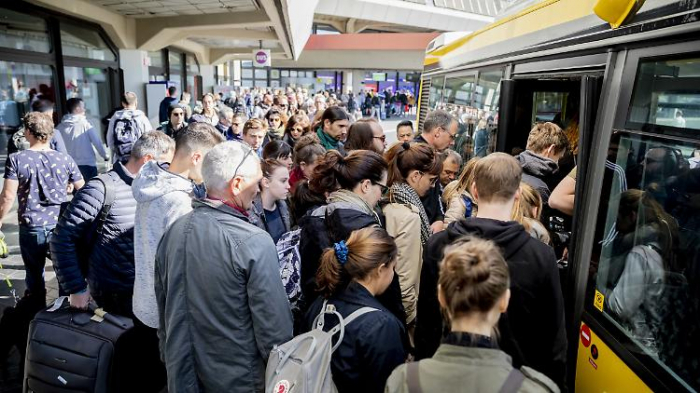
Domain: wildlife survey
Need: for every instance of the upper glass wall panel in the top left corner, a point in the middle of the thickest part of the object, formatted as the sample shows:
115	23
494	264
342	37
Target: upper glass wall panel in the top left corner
23	32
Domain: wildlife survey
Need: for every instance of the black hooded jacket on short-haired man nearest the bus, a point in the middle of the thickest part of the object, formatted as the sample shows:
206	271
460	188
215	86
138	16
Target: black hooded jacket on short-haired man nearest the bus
532	330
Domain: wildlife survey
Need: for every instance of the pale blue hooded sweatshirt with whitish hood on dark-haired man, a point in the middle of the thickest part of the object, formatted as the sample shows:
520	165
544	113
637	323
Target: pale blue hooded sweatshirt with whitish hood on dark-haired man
80	136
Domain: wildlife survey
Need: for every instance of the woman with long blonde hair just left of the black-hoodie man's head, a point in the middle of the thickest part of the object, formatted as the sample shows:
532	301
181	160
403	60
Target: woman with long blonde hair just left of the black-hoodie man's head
457	196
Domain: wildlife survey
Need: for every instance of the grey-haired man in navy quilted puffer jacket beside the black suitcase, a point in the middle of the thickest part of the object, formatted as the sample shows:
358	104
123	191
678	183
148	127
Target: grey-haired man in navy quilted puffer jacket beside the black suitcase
97	232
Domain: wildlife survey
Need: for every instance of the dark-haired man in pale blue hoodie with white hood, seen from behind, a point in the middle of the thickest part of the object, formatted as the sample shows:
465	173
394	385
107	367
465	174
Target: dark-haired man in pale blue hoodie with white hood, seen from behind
80	136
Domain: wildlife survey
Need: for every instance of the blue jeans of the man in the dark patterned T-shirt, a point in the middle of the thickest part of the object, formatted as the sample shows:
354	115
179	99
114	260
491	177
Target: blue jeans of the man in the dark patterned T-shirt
34	245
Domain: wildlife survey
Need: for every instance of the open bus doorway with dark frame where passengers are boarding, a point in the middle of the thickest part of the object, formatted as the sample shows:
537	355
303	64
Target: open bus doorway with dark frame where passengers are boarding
569	98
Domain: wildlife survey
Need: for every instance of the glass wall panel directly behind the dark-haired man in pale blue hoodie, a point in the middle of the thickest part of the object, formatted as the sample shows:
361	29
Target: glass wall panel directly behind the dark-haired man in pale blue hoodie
92	85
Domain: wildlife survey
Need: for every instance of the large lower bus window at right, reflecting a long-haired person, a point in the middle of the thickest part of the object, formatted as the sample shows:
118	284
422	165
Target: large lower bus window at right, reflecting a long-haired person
647	278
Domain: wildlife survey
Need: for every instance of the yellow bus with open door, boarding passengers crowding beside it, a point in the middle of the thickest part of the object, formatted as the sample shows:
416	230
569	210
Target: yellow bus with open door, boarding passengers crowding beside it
627	90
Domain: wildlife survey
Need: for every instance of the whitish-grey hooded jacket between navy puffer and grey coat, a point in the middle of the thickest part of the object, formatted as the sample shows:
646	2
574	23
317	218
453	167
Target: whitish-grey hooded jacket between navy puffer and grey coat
162	197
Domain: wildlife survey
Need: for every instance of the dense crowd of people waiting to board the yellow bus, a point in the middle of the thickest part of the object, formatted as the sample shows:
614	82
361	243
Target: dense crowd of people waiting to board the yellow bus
227	232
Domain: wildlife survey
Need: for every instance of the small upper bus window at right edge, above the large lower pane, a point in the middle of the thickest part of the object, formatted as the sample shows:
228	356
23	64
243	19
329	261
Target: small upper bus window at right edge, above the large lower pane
666	94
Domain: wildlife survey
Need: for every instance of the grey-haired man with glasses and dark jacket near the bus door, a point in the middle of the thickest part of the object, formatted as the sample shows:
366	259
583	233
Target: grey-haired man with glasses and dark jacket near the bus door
439	131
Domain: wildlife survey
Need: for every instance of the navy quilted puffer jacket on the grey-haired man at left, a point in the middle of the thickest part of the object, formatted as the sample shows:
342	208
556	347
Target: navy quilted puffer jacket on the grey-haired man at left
111	266
